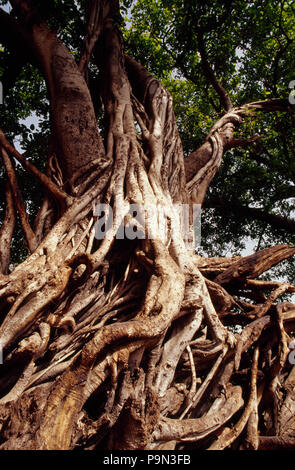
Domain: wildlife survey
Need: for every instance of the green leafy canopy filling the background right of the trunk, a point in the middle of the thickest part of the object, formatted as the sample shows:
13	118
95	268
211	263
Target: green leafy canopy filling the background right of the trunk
249	48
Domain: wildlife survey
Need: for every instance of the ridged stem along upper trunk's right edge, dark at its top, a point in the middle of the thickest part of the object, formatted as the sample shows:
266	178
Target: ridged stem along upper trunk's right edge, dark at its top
154	112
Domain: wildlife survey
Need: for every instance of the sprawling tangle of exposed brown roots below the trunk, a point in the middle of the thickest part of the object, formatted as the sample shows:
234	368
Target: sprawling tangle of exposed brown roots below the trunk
153	337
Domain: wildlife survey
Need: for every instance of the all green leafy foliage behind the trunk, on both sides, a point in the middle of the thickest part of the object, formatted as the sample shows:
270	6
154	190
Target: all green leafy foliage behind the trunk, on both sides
250	47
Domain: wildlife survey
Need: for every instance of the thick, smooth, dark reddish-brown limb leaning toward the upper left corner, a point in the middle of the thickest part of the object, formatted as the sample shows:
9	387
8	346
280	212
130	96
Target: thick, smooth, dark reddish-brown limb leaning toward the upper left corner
74	127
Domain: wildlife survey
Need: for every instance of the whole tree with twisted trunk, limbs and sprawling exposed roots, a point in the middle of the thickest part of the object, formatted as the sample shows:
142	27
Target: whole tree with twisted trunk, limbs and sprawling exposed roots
128	342
